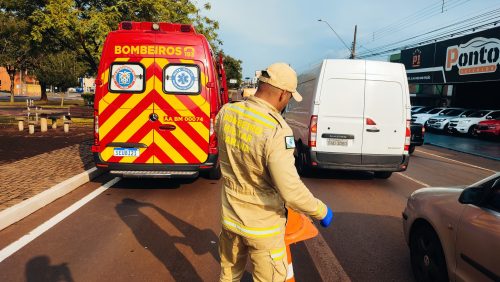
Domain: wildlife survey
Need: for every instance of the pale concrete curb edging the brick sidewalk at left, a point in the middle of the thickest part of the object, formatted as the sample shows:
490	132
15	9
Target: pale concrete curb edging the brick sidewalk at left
19	211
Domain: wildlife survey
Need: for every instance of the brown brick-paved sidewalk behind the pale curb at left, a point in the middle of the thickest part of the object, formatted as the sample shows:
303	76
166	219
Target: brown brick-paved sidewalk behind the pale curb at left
23	179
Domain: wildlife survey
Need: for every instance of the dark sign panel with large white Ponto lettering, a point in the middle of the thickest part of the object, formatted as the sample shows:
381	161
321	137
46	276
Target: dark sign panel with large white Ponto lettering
470	58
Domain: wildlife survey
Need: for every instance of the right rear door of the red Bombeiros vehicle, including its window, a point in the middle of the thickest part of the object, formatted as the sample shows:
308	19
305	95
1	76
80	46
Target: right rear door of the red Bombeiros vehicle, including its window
183	107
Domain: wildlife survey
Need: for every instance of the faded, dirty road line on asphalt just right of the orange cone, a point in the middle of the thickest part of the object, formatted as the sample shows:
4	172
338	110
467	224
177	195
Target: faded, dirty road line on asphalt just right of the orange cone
326	263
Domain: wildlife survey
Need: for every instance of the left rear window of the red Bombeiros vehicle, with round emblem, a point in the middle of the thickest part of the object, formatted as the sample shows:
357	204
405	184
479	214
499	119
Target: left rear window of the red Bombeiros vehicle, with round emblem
127	78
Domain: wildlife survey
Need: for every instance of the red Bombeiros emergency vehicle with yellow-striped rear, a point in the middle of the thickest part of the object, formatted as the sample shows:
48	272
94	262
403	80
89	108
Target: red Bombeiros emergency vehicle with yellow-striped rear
158	89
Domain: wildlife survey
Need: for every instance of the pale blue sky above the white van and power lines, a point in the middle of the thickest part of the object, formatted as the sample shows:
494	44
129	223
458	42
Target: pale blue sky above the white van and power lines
261	32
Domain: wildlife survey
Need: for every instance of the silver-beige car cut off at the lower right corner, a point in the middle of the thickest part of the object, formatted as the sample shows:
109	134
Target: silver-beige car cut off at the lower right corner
454	233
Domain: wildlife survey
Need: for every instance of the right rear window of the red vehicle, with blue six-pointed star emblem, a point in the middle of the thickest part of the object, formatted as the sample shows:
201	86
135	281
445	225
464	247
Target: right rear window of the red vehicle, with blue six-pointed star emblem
181	79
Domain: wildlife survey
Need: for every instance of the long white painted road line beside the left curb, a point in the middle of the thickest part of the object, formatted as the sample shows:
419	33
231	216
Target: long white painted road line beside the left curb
26	239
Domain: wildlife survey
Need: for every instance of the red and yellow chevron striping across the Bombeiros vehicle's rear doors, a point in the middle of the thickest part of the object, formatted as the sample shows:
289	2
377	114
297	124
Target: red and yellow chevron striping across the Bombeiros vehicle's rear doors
125	118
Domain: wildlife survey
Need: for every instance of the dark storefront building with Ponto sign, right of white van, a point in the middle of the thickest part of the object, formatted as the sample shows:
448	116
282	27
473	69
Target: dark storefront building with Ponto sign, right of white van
459	72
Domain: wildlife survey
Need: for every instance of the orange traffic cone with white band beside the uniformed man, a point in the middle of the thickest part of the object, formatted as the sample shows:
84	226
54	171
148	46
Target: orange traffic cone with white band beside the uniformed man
298	228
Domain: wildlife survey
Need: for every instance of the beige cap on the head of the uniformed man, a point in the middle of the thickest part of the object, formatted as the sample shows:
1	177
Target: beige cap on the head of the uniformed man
282	76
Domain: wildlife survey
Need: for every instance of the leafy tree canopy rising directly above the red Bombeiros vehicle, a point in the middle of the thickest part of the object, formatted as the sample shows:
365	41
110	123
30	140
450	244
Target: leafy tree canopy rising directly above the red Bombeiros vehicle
82	25
